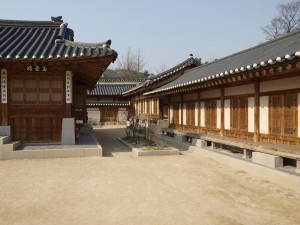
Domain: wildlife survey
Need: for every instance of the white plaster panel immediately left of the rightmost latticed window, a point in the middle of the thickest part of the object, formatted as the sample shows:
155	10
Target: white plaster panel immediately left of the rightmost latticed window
264	115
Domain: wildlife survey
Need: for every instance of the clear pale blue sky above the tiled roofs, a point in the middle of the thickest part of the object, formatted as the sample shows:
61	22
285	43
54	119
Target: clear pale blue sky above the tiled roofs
166	32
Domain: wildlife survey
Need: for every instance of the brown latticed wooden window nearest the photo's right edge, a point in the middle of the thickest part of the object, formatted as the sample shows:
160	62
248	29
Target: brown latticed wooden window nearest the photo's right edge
283	114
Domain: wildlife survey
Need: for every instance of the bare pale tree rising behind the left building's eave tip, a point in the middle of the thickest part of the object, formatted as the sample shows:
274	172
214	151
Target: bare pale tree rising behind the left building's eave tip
131	62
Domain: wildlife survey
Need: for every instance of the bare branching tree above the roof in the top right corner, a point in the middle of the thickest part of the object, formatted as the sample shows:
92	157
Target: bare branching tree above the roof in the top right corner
288	20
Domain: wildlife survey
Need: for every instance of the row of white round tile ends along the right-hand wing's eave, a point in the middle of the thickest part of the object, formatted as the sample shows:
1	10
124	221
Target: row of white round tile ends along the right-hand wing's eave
228	72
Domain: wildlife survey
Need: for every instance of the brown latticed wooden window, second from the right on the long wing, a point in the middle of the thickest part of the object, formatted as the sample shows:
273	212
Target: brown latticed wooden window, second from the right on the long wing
239	114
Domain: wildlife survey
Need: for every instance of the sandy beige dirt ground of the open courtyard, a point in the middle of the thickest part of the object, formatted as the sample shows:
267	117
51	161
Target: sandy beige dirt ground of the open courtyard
122	188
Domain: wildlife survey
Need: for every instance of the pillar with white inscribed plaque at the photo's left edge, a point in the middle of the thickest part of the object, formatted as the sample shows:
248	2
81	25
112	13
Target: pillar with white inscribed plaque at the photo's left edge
4	97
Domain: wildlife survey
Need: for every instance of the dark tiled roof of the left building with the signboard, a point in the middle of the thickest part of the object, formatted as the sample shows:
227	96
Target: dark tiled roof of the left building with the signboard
45	40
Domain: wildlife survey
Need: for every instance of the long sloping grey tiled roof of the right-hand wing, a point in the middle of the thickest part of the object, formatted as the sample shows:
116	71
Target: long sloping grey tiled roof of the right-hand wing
268	53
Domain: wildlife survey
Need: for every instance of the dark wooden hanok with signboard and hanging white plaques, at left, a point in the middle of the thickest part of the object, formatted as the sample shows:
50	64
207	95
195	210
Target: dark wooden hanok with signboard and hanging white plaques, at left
45	76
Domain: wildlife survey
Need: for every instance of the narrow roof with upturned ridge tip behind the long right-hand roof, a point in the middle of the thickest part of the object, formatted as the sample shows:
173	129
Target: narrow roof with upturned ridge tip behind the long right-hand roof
190	61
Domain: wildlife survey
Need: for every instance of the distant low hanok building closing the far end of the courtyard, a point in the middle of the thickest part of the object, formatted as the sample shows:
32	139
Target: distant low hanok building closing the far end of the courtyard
106	104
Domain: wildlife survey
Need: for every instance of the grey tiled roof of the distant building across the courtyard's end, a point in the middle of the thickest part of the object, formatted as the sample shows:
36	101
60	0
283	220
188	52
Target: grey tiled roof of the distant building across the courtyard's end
110	89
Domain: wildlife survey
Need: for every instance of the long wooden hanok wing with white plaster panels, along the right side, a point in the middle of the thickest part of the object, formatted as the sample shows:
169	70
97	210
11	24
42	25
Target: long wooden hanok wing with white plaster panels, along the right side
249	100
